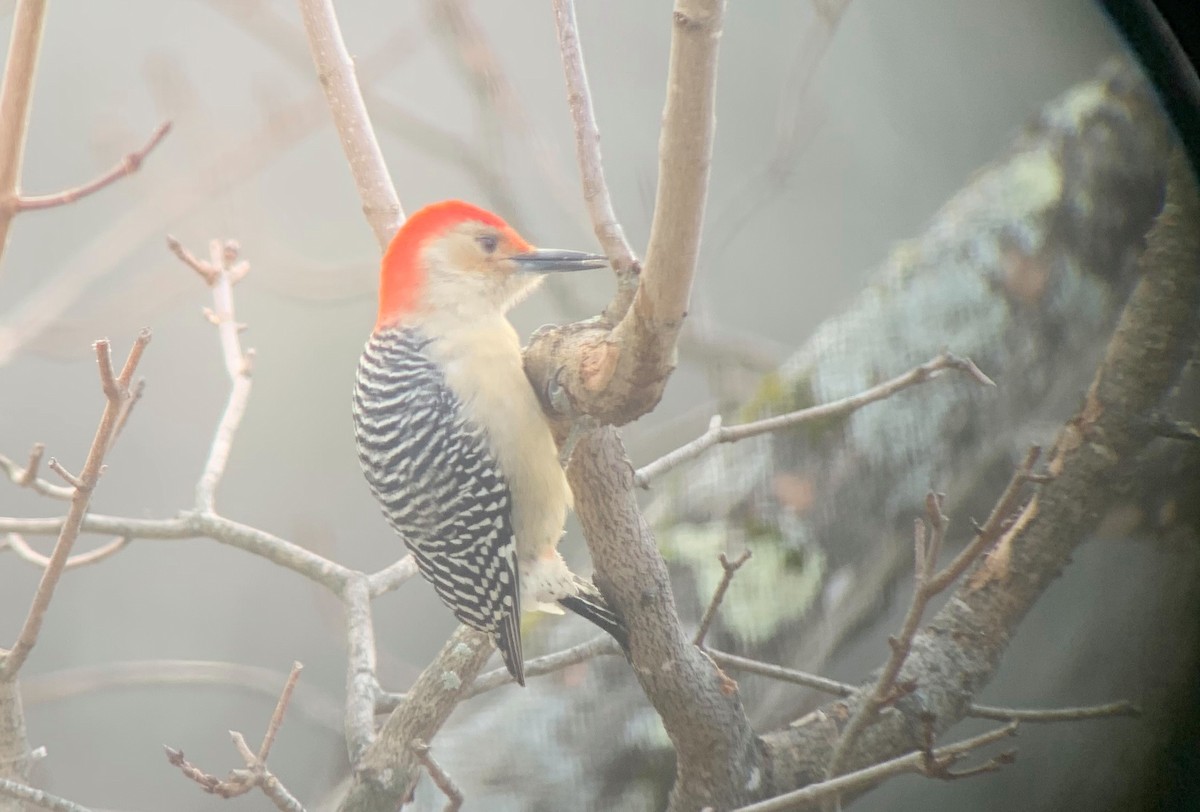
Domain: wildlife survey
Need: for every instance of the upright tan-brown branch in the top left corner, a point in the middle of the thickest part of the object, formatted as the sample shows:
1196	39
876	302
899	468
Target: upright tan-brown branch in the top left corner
16	95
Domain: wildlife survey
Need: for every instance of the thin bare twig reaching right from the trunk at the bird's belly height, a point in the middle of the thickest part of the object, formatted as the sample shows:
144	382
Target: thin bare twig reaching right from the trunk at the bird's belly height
718	434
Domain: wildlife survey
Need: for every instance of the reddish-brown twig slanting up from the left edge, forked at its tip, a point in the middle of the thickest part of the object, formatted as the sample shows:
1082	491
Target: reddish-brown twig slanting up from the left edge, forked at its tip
15	659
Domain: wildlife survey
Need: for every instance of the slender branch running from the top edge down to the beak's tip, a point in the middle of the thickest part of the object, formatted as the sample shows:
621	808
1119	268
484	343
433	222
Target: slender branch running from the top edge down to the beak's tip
587	147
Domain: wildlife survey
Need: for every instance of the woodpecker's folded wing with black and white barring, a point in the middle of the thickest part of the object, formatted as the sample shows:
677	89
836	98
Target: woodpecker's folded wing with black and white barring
440	488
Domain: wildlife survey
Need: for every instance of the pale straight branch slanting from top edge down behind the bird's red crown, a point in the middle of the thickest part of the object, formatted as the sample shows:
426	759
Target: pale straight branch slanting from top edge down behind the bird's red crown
335	71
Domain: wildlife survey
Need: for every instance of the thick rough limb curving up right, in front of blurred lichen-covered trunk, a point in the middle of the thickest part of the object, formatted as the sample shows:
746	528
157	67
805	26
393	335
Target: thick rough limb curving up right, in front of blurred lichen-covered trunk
958	653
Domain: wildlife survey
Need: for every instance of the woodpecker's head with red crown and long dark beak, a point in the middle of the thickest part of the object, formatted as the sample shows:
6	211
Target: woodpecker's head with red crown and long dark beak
454	261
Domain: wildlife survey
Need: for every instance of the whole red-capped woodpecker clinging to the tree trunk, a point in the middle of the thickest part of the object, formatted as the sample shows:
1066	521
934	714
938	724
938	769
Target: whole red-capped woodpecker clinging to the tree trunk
451	435
